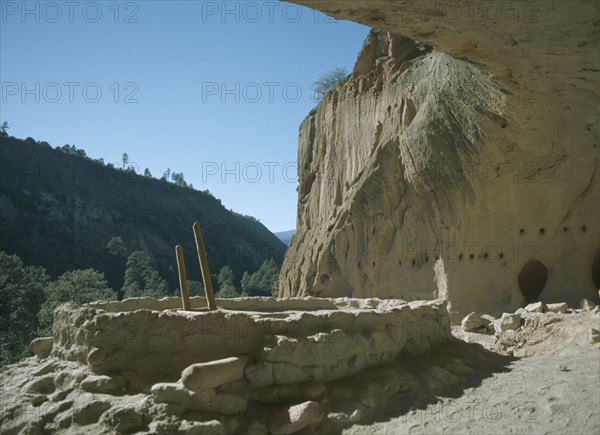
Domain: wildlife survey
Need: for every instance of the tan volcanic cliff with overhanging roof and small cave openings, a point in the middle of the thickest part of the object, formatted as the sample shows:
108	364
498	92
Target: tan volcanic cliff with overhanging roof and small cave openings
462	166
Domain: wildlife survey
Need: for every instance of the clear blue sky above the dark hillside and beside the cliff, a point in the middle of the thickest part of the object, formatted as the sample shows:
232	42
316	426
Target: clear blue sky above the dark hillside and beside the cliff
213	89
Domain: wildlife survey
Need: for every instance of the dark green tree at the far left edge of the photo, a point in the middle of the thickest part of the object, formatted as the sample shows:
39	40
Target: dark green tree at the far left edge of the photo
21	295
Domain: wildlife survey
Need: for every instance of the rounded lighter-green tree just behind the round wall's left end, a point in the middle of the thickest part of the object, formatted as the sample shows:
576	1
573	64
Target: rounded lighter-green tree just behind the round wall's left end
79	286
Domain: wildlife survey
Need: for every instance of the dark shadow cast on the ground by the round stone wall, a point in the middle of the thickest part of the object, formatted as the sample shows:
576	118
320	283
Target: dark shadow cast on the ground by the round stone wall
408	384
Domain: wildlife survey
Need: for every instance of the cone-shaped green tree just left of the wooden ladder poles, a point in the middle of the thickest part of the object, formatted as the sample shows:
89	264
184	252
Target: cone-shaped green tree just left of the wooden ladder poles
141	279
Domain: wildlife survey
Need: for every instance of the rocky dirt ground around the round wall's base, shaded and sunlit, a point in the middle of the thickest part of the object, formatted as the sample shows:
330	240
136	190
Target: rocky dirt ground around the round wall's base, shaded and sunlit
542	378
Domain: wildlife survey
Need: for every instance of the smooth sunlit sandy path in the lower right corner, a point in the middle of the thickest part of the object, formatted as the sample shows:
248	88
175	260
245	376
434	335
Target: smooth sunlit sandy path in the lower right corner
555	391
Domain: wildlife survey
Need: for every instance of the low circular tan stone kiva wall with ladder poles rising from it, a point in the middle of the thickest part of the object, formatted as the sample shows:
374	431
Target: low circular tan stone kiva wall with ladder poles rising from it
320	339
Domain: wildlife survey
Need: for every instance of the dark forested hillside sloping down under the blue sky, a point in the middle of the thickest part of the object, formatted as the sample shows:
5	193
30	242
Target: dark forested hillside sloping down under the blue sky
65	209
